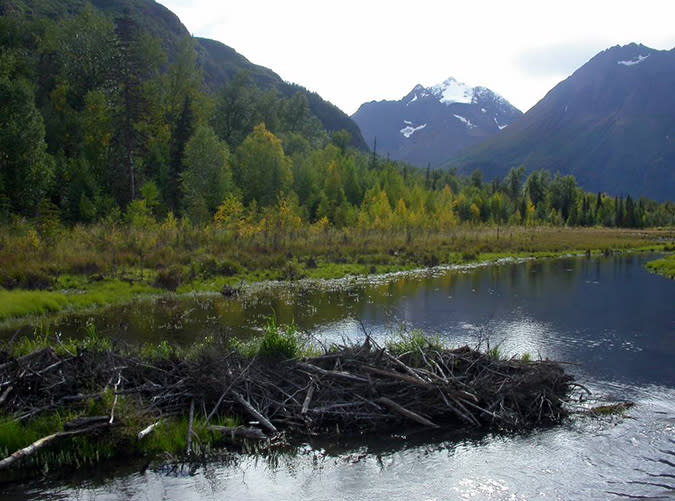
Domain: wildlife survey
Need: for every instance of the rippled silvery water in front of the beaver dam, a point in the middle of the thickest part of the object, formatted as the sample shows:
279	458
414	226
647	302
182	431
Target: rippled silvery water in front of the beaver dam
584	459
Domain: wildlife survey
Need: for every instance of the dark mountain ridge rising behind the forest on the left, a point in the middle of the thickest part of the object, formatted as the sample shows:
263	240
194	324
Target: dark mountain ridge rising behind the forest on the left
219	62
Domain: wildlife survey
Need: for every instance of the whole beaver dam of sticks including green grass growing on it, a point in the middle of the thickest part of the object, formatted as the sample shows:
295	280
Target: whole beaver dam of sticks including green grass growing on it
82	402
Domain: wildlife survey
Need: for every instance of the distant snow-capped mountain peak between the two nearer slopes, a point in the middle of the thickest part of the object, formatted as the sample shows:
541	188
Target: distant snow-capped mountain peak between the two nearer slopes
432	124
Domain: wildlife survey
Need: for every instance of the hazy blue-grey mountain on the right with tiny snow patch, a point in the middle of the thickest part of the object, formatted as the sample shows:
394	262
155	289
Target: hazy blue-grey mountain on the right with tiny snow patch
611	124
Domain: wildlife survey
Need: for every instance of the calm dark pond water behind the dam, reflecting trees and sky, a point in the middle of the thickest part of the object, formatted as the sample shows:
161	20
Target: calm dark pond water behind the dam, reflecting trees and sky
607	314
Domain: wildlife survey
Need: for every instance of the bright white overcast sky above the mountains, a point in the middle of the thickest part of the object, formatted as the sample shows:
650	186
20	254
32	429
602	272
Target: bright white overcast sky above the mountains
353	51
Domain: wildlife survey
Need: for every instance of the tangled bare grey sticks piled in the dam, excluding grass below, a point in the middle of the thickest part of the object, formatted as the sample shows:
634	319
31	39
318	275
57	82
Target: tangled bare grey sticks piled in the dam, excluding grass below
351	388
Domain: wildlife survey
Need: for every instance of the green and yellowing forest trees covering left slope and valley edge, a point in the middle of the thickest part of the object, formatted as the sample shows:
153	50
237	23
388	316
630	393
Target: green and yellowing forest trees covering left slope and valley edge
98	121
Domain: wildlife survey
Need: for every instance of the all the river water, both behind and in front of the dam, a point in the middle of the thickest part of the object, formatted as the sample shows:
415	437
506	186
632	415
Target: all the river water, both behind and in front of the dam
612	321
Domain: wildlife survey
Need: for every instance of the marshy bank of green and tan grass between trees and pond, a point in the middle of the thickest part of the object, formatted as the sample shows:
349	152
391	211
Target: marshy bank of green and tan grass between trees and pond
79	269
